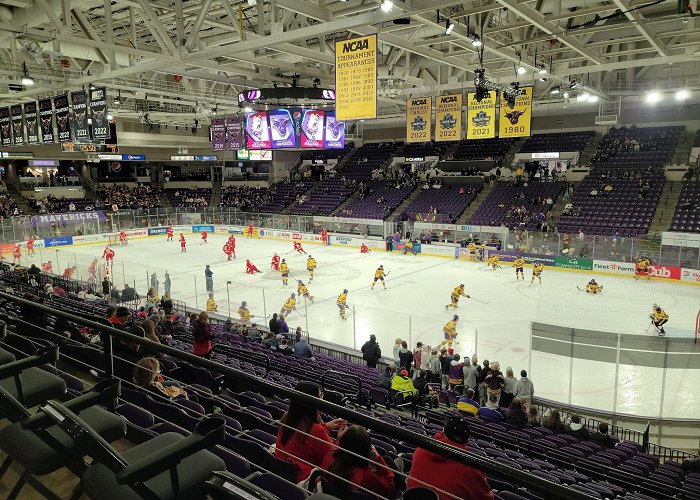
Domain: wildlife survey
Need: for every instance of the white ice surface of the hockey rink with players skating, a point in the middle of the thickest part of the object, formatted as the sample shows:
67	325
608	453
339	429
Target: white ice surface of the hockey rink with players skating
495	323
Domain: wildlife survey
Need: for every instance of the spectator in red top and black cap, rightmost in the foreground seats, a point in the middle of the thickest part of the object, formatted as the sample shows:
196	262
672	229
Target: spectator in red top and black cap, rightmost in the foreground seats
444	474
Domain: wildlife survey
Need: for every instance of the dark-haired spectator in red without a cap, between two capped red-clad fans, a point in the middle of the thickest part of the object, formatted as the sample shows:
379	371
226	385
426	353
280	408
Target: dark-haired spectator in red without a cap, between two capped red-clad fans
348	471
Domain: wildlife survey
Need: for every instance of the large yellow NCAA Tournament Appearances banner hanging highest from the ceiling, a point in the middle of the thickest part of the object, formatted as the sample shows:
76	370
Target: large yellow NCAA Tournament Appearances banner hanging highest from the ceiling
356	78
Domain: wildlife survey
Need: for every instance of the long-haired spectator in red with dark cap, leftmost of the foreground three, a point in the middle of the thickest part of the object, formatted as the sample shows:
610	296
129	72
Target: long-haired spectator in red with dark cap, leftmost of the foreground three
303	438
